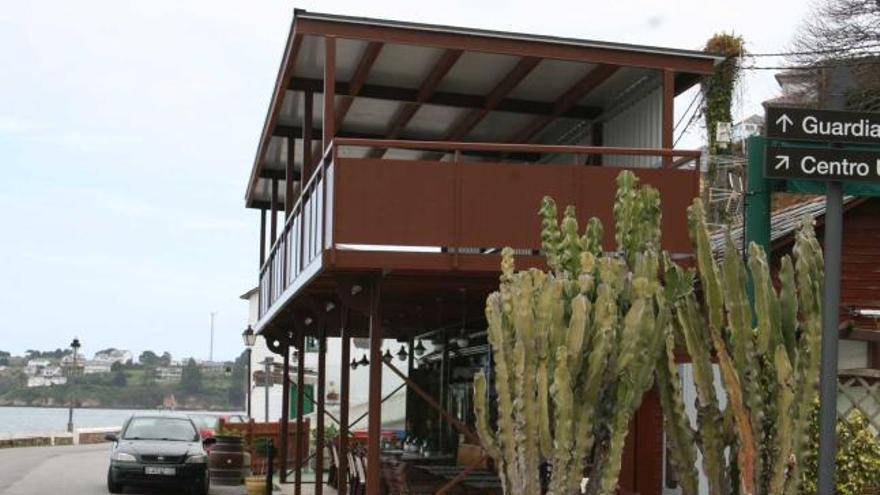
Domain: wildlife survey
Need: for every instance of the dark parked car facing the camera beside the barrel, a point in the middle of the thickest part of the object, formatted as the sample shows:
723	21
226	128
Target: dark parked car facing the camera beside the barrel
162	450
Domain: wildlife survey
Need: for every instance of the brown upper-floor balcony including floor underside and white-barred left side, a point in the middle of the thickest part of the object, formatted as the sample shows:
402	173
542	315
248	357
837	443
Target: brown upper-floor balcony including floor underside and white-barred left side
420	220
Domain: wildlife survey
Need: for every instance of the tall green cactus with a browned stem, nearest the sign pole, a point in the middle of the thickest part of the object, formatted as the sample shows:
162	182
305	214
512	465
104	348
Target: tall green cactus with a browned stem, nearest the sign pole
767	353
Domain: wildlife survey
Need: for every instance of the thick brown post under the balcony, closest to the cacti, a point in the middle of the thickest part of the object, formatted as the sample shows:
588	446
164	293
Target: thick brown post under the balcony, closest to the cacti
374	421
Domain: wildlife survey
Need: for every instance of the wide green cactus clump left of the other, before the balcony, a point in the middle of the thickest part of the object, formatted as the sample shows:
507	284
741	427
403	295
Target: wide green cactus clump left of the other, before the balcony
575	348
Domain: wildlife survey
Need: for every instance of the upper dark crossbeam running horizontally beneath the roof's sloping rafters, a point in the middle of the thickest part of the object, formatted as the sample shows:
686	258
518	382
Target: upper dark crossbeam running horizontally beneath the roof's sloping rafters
443	98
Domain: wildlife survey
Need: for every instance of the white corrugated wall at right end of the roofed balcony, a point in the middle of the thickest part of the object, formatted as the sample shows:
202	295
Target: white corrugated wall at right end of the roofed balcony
640	125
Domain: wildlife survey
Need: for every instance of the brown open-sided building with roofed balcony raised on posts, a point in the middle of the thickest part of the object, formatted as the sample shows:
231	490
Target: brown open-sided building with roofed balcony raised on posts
396	160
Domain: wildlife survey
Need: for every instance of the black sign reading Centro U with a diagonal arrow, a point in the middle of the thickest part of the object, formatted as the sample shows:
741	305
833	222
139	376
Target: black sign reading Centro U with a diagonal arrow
822	164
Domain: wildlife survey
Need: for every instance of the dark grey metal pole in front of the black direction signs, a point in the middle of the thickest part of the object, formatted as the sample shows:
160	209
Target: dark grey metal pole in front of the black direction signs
830	309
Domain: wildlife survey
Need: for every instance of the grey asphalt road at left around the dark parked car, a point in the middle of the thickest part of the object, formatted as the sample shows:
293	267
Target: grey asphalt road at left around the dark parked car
74	470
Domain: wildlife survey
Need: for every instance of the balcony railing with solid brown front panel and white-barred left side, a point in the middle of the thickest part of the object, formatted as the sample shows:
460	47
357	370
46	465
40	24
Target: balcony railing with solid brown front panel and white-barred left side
364	205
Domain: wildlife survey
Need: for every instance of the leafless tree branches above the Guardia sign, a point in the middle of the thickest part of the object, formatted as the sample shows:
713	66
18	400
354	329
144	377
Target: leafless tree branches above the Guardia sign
843	32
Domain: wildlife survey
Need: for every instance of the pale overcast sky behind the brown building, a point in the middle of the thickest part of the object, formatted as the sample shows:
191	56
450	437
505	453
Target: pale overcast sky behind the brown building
127	132
